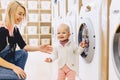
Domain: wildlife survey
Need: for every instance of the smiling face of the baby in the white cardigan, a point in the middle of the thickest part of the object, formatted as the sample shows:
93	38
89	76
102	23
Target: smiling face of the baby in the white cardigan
63	33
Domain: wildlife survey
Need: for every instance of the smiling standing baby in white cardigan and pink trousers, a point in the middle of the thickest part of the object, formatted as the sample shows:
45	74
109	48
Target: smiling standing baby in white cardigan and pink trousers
65	51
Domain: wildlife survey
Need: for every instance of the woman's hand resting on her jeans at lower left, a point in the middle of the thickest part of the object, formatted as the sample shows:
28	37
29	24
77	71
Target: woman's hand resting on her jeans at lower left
20	72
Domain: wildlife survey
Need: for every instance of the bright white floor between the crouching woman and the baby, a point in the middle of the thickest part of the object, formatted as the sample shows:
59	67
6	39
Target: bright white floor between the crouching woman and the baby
37	69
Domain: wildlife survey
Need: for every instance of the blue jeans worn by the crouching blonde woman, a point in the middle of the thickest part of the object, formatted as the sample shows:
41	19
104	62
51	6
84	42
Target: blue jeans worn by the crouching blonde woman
19	60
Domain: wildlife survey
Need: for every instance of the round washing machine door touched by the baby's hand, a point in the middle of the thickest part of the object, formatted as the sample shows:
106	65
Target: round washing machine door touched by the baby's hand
86	33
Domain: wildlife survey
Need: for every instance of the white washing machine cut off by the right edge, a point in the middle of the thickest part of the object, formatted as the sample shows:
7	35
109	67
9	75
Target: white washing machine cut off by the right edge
114	43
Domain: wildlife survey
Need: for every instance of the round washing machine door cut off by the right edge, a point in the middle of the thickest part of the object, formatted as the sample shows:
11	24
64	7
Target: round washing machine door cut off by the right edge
116	51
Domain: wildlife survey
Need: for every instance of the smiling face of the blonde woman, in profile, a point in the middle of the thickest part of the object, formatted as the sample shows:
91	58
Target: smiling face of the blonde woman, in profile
19	15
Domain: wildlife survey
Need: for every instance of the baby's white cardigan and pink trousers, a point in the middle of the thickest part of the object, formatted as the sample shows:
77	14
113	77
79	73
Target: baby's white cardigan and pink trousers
66	56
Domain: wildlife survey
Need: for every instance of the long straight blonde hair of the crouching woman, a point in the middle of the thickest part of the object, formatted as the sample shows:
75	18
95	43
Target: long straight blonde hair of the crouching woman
10	13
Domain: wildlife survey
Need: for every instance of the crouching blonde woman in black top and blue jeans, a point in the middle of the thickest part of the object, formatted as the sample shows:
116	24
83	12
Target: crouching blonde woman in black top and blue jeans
12	64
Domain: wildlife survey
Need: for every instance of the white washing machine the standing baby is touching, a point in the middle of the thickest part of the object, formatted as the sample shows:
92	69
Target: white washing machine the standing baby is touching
89	30
